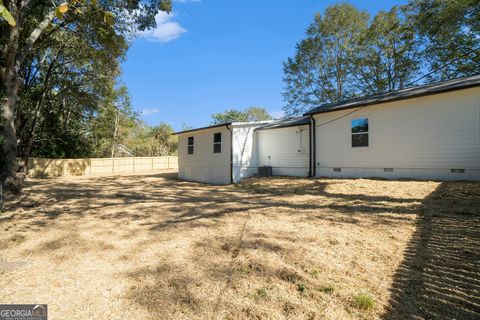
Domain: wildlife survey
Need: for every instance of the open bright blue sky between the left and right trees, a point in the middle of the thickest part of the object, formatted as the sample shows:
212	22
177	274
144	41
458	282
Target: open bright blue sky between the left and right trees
213	55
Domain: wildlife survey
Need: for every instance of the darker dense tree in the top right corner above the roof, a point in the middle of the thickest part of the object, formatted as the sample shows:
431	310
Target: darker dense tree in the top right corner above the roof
450	36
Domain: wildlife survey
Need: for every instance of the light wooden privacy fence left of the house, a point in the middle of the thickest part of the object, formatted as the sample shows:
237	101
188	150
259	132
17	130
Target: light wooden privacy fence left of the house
81	167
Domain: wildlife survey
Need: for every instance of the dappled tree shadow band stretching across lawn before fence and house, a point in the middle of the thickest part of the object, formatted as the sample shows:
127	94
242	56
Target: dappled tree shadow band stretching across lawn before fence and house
162	193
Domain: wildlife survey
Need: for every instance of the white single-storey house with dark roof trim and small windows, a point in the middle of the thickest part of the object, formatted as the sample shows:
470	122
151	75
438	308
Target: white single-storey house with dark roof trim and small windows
426	132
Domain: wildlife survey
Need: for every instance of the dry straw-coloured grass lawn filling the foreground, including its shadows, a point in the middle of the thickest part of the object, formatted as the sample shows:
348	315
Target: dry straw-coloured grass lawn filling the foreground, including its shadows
154	247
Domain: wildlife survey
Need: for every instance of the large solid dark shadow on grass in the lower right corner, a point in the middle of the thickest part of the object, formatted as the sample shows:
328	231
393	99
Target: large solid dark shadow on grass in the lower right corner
440	275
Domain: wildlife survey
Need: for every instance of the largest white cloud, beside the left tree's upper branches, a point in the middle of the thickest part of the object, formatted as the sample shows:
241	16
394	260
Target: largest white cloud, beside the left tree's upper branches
166	30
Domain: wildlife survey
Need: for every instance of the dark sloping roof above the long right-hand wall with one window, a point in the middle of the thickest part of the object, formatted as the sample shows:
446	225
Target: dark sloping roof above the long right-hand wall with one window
438	87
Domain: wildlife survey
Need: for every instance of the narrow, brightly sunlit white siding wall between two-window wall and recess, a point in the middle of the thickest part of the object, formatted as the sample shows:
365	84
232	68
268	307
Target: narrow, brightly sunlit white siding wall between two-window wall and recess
244	154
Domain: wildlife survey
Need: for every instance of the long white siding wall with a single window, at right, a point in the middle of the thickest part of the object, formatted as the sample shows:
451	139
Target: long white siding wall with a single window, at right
422	138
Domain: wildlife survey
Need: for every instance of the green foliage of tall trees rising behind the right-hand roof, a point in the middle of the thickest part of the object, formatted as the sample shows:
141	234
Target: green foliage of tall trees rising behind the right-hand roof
347	54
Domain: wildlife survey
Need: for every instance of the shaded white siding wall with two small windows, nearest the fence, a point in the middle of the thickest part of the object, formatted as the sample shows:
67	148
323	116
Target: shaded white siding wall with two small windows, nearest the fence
204	165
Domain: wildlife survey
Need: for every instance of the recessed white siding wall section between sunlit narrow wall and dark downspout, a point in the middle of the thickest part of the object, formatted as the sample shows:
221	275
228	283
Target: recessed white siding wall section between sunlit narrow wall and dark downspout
288	149
